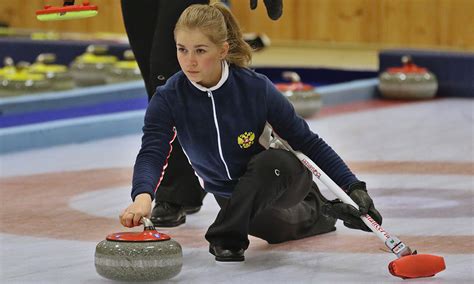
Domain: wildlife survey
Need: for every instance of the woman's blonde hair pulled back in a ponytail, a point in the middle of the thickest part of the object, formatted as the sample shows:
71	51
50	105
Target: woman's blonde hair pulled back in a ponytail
219	25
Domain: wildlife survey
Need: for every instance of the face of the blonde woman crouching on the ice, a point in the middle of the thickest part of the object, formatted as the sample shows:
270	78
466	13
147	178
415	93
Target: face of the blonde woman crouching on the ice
199	58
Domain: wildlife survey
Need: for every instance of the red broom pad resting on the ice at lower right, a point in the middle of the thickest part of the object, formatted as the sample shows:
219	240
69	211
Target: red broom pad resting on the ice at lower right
417	266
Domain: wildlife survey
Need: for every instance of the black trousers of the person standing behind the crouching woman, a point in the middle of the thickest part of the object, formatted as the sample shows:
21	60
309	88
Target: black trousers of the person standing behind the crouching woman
149	25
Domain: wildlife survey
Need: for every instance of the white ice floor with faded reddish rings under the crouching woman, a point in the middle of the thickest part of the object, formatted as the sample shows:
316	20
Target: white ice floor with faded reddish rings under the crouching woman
417	159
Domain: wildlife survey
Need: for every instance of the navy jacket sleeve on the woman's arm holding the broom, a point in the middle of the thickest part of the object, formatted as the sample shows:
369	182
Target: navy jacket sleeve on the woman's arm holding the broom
291	127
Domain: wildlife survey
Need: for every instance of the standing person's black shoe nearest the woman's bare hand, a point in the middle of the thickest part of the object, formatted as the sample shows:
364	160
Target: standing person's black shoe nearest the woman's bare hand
167	214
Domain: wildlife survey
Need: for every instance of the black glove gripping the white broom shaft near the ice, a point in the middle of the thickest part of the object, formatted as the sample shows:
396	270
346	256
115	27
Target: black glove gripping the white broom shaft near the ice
348	213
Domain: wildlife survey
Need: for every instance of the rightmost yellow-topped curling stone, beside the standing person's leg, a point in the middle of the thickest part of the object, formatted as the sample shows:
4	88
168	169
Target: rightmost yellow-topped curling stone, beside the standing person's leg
125	70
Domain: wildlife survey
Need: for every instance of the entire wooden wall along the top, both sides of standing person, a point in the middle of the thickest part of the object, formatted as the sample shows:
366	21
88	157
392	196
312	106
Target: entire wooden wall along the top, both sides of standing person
404	23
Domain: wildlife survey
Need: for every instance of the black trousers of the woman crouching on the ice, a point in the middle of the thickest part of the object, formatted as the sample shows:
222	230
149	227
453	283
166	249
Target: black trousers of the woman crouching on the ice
275	200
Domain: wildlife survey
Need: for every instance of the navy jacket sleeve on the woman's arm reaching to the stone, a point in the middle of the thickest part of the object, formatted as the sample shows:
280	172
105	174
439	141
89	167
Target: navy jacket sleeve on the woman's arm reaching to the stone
158	134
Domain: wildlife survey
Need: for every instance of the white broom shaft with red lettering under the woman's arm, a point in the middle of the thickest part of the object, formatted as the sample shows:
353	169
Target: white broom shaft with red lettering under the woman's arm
341	194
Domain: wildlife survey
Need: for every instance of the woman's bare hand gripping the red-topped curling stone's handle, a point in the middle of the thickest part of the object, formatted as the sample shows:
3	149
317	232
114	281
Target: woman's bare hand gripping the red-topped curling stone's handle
141	207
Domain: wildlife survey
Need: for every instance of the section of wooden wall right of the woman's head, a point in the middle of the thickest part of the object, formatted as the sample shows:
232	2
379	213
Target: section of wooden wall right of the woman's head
448	23
